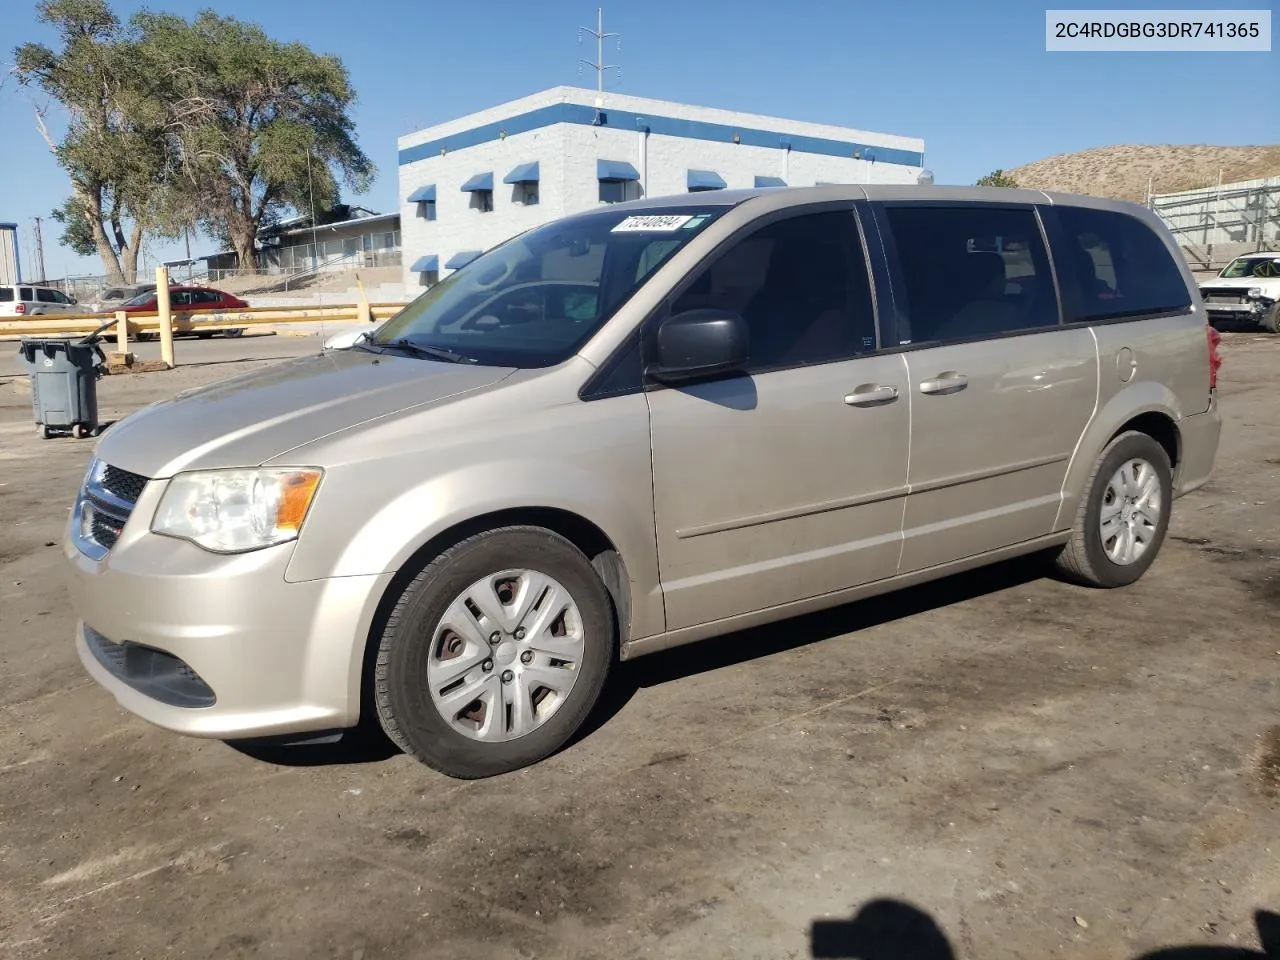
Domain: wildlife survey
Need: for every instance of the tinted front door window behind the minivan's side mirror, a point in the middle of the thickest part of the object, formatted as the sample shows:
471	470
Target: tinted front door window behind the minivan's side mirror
802	287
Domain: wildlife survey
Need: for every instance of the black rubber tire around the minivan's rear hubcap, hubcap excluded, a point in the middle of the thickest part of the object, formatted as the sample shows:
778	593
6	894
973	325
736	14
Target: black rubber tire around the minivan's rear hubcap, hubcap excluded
1085	559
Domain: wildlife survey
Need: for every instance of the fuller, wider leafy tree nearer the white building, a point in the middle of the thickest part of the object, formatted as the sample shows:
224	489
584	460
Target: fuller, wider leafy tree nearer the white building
255	127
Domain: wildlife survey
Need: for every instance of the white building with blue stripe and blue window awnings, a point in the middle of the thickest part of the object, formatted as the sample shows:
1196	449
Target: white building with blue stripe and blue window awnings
472	184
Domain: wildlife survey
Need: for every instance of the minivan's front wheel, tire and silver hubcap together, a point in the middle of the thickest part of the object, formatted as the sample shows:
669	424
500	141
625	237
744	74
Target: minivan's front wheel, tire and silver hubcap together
495	655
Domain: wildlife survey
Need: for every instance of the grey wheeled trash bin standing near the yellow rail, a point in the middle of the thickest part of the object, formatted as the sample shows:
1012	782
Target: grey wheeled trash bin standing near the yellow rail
65	385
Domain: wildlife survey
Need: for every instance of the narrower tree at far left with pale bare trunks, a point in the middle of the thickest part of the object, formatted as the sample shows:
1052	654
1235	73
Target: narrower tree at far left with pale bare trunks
113	148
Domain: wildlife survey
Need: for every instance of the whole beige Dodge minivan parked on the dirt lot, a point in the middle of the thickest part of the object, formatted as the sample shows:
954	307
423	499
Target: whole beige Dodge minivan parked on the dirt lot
634	428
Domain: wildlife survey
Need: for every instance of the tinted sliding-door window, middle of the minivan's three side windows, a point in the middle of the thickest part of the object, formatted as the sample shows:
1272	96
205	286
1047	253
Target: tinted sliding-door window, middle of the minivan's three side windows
971	272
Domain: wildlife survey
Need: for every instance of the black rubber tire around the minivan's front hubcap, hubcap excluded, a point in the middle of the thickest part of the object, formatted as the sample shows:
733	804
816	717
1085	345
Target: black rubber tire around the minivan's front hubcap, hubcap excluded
401	694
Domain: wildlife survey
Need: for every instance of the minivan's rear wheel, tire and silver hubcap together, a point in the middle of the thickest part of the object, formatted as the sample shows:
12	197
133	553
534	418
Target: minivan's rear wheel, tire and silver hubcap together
1123	516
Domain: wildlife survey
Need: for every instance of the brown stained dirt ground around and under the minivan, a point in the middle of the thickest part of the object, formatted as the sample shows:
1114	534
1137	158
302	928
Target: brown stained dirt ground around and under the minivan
994	766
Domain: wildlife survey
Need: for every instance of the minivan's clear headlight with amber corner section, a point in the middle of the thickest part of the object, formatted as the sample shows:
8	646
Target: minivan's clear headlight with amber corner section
232	511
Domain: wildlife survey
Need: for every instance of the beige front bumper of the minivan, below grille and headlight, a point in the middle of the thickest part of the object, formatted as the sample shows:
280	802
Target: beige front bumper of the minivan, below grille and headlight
273	657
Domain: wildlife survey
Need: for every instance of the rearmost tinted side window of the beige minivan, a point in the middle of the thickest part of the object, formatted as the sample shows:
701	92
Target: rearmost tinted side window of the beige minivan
1118	267
